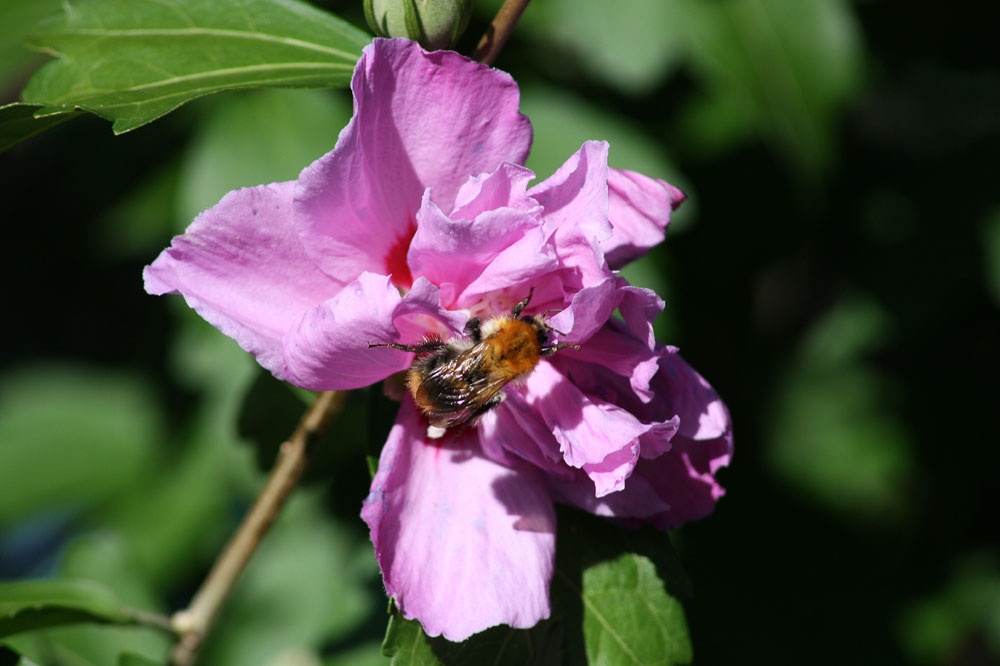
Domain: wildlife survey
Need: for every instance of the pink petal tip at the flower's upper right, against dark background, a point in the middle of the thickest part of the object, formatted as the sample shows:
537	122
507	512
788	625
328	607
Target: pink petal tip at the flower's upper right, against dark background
639	210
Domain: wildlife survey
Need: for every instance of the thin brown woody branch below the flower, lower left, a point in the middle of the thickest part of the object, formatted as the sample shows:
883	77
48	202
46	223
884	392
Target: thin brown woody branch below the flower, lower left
194	622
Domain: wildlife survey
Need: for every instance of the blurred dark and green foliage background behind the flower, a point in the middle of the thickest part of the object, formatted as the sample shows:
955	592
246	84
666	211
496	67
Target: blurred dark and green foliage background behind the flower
835	274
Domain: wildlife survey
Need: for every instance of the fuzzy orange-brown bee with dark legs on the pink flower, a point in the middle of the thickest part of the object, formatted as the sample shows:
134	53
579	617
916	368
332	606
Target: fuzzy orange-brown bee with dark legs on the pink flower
456	381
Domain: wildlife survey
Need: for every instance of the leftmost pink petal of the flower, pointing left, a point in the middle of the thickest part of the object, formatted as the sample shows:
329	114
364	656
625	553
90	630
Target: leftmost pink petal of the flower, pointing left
241	266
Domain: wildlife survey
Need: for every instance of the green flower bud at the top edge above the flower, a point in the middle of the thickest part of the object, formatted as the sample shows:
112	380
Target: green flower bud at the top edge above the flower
435	24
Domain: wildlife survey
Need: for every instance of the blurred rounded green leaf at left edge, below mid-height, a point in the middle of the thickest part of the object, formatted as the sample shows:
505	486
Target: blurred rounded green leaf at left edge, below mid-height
71	437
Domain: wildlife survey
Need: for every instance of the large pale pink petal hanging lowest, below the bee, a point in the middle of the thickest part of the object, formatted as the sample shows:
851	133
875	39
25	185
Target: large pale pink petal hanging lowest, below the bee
464	543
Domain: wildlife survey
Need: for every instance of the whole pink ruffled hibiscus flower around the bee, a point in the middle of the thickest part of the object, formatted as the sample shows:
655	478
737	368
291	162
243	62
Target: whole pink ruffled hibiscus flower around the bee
421	218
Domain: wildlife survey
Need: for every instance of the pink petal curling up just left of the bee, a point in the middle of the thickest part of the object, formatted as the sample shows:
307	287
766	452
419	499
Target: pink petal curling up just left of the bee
328	348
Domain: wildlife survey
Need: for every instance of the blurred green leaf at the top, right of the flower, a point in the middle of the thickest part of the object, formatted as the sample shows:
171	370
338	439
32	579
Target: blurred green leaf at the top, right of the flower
778	68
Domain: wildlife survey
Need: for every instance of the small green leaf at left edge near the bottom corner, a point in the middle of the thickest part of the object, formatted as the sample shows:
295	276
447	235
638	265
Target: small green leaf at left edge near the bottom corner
32	605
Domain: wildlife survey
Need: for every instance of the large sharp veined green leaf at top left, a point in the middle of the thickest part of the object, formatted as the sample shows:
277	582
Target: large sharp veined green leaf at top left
132	61
